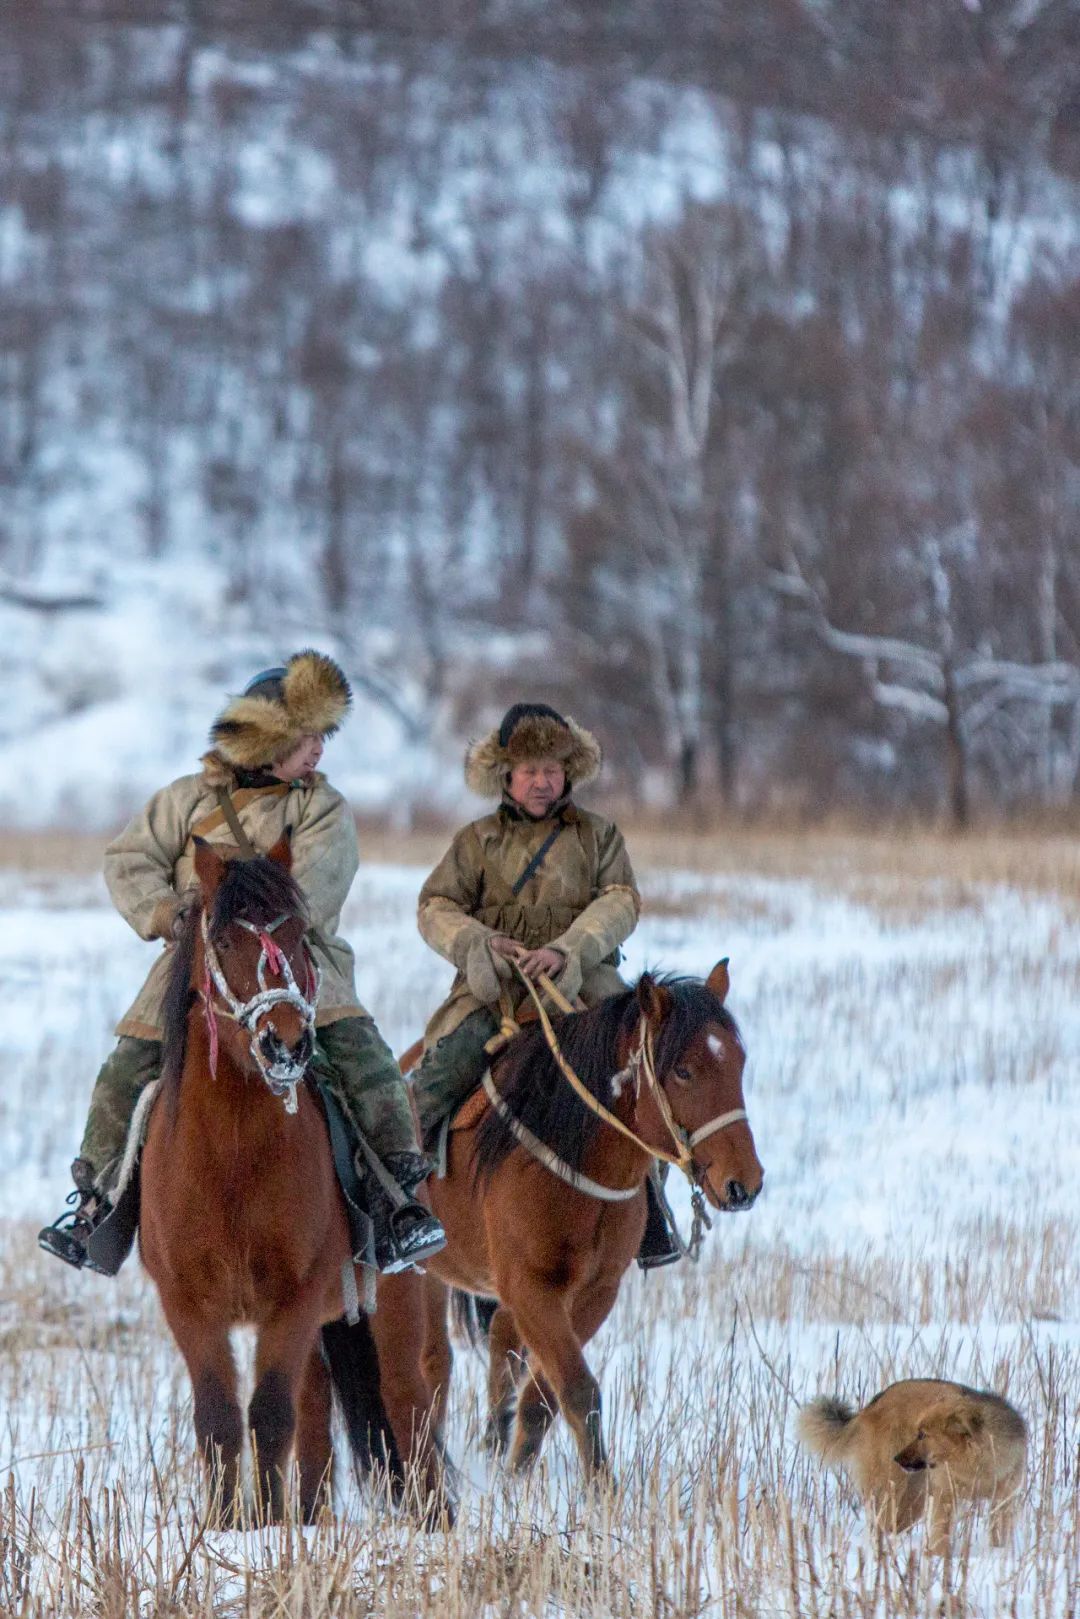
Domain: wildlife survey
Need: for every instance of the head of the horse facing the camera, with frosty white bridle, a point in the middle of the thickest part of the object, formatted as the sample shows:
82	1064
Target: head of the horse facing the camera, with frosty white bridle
253	969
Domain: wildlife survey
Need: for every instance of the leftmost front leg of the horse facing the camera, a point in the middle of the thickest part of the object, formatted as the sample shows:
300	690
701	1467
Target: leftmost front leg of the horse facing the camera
218	1417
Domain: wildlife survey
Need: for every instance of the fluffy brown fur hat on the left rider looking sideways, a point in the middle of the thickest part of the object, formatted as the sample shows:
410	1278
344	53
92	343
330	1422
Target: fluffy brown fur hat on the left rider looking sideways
308	695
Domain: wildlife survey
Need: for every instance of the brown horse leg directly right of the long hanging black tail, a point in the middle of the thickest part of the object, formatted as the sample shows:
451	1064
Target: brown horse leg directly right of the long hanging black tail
398	1328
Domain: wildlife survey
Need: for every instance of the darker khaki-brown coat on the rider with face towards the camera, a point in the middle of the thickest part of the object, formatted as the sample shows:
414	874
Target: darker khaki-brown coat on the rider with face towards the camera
582	901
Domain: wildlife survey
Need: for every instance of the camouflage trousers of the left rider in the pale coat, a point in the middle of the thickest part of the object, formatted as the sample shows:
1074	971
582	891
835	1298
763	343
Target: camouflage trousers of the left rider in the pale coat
352	1056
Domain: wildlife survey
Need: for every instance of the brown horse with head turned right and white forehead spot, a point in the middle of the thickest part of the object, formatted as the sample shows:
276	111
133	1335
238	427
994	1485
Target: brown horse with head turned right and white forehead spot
545	1202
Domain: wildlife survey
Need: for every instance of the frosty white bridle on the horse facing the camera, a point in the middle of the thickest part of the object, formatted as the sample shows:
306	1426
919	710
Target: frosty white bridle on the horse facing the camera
283	1077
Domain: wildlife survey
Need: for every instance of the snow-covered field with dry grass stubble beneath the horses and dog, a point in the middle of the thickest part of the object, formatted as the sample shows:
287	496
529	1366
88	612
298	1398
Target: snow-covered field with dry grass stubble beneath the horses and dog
912	1087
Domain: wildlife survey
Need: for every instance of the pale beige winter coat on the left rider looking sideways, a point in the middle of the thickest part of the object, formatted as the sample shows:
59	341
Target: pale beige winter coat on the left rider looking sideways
153	862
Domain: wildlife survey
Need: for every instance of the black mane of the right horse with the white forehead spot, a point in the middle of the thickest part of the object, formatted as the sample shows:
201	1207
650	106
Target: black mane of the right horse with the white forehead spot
545	1103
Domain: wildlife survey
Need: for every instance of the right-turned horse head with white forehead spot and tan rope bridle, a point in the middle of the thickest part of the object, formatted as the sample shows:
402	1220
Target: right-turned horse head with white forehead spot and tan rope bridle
691	1063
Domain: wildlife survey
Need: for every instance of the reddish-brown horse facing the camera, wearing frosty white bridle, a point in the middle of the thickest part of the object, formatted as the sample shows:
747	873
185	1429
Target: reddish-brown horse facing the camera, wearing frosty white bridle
242	1220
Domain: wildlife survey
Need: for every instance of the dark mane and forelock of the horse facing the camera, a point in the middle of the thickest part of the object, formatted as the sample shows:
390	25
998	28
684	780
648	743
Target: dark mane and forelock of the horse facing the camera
258	891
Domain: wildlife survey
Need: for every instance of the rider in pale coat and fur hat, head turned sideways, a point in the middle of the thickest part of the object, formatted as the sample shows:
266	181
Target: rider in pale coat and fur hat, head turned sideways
258	781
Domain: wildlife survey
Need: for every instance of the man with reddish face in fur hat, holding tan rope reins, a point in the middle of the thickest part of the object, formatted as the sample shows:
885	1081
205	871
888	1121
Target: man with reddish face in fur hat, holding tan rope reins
542	883
